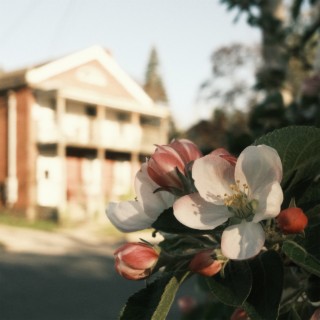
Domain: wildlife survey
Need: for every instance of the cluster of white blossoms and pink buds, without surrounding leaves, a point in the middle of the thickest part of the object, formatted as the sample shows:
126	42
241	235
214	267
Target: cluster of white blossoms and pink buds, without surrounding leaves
203	193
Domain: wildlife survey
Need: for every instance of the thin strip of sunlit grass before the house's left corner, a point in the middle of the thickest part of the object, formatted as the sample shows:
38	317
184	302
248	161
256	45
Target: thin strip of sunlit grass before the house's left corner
21	222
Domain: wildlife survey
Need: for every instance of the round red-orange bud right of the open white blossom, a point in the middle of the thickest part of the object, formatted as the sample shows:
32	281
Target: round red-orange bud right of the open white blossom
292	220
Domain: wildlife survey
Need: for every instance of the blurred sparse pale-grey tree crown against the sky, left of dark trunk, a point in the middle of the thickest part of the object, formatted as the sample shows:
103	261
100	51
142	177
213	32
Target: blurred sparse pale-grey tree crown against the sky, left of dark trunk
231	83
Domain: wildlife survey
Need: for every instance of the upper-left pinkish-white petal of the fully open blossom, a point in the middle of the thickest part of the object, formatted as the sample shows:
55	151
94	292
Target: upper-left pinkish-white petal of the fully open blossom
212	176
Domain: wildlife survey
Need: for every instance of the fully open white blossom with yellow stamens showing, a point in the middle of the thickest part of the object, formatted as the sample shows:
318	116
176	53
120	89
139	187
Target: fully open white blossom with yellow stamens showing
246	193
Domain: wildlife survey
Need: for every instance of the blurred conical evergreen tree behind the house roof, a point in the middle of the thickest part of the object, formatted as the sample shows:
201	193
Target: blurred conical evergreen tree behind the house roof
153	82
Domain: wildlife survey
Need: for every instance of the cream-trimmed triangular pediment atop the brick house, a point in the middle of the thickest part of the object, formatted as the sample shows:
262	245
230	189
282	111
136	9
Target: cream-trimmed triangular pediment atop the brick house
92	70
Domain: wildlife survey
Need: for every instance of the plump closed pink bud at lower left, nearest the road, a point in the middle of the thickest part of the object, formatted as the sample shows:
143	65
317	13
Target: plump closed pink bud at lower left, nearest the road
135	260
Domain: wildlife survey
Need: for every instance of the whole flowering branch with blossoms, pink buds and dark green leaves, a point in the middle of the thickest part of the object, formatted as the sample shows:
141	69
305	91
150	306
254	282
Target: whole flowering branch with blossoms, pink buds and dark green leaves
228	219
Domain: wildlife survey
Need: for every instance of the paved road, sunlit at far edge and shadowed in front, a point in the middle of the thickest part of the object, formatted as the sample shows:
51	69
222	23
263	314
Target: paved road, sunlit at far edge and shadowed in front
60	276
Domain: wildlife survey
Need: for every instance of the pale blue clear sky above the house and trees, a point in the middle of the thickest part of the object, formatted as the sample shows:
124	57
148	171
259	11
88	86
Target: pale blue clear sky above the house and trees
185	33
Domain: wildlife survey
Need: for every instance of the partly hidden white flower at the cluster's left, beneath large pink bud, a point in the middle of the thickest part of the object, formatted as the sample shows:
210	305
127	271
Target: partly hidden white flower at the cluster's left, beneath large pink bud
139	214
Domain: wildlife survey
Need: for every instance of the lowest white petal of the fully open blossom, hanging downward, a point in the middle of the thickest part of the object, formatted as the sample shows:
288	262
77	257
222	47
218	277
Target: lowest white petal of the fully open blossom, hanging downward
242	241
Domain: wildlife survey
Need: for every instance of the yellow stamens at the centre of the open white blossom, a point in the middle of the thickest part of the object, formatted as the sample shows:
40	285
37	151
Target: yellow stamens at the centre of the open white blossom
238	202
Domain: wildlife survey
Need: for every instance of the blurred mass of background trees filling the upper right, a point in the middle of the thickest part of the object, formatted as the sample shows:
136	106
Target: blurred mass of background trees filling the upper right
274	84
